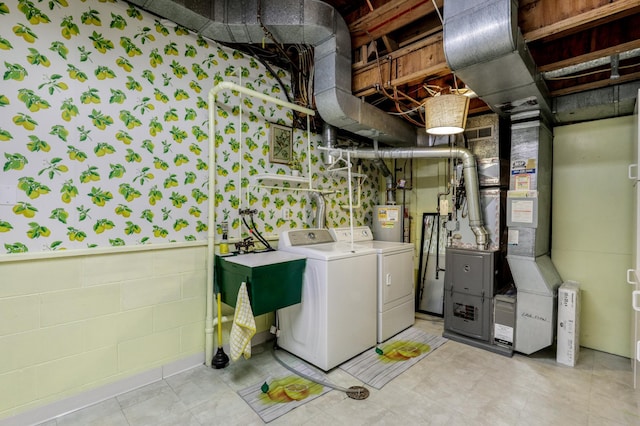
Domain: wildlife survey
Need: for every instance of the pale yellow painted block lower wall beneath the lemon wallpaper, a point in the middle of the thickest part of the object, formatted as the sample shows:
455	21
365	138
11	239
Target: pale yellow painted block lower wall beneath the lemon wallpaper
70	324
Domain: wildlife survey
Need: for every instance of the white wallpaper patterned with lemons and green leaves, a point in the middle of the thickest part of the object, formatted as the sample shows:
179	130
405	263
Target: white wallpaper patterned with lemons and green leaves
104	133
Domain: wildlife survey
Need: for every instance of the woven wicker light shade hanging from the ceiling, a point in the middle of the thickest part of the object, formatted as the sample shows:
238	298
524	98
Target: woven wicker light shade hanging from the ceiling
446	114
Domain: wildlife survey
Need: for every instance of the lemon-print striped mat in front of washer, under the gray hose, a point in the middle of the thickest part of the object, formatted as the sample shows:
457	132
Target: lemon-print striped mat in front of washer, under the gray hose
283	391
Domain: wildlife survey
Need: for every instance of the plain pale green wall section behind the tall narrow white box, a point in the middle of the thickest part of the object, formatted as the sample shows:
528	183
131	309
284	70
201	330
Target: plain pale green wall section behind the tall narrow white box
592	220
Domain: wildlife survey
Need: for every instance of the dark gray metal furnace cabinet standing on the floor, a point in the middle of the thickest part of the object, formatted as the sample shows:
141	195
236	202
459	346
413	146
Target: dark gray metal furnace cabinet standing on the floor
470	284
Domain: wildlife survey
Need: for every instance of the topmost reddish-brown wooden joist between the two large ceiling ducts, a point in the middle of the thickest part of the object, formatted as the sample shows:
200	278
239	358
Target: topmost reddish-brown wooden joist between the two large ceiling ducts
388	18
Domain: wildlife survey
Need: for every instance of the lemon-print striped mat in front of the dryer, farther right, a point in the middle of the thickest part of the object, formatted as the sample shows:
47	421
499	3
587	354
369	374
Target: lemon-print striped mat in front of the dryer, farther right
378	366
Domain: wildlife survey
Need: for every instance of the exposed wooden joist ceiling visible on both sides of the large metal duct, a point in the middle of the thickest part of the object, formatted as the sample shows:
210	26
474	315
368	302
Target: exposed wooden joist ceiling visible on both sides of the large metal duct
559	34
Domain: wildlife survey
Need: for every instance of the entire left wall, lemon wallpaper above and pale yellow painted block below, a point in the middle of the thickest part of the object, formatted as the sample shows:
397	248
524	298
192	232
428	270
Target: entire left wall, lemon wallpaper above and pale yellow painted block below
103	207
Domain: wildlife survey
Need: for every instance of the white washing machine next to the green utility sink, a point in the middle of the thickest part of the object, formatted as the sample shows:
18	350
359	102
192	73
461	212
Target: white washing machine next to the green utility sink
335	319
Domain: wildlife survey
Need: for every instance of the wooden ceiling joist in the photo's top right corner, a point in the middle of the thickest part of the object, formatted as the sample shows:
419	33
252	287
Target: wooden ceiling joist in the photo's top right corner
540	19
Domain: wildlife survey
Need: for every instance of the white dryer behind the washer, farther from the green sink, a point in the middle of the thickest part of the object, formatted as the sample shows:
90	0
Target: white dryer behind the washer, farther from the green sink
395	278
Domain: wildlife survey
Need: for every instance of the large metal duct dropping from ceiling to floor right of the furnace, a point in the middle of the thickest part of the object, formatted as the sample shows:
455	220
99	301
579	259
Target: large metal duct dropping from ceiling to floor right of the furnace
485	48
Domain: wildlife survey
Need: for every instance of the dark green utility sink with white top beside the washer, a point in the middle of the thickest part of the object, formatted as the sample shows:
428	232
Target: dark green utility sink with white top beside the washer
274	279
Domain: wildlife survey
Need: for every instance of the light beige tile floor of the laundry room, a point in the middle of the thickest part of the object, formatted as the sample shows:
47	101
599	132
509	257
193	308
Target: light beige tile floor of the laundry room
455	385
